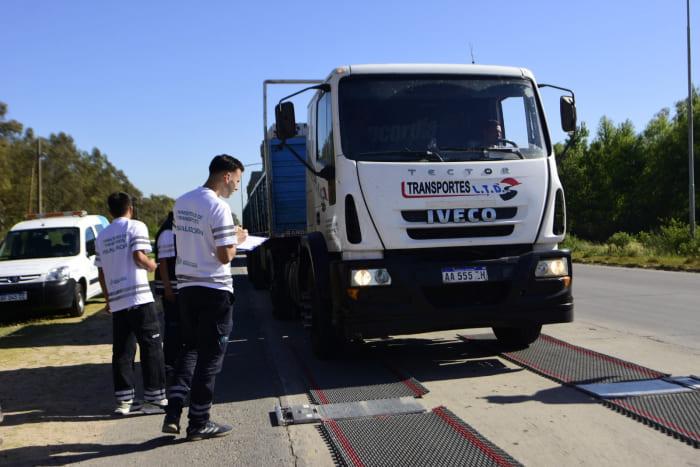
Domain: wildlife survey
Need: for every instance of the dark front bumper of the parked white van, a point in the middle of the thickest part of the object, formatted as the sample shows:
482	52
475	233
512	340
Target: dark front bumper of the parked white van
50	295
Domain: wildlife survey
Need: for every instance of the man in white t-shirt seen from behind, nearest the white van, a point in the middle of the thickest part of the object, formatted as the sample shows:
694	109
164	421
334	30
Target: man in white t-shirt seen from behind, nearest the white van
123	273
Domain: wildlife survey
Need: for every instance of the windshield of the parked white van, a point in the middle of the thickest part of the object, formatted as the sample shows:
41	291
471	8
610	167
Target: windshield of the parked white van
40	243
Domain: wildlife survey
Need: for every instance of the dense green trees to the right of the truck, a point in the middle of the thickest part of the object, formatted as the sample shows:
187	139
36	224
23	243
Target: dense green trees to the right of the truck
624	181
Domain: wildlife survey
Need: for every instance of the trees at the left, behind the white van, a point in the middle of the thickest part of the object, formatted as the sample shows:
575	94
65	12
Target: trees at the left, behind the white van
72	179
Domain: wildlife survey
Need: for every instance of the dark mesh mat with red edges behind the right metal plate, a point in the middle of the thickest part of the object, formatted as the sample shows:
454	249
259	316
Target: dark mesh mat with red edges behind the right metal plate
571	364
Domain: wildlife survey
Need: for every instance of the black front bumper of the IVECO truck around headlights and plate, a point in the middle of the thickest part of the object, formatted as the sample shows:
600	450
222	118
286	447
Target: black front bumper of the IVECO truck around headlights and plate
417	300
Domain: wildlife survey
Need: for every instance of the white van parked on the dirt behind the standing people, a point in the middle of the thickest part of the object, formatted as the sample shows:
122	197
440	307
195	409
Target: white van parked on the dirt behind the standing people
48	262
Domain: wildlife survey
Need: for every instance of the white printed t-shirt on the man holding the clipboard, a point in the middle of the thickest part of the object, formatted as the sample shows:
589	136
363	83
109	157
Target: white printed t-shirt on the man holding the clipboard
203	222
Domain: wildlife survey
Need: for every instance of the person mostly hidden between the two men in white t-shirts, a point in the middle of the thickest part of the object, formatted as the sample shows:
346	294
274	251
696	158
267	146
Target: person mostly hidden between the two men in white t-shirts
166	287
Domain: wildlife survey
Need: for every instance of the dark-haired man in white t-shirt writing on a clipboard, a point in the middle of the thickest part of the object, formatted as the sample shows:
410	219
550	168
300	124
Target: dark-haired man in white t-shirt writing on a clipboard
206	240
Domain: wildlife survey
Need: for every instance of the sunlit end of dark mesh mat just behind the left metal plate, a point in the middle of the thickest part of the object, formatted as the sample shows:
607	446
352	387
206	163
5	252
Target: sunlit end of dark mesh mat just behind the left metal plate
409	387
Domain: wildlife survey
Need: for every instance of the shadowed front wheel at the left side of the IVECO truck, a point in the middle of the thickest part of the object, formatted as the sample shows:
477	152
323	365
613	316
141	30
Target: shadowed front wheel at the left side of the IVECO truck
326	342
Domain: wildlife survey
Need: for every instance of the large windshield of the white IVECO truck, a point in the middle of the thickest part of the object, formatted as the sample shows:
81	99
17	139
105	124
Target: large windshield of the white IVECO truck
403	118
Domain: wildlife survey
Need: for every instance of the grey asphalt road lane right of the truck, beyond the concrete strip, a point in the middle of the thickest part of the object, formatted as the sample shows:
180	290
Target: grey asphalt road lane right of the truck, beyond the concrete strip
662	304
